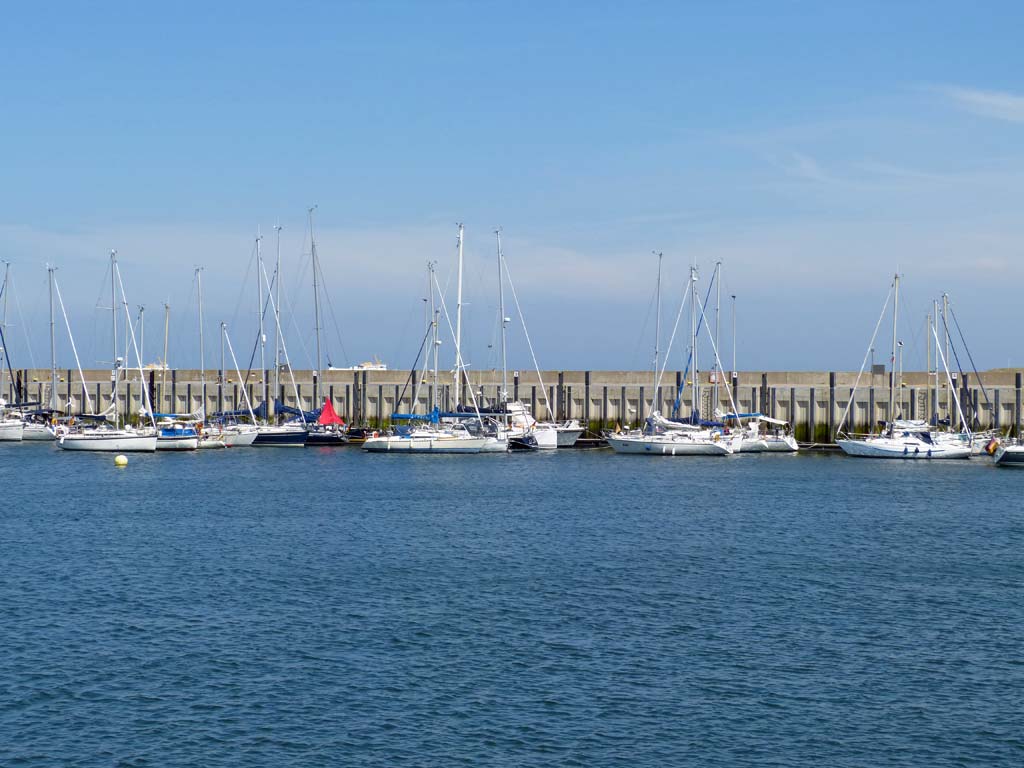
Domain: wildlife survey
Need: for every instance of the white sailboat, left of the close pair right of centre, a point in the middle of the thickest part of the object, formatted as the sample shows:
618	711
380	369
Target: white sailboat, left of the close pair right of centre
662	437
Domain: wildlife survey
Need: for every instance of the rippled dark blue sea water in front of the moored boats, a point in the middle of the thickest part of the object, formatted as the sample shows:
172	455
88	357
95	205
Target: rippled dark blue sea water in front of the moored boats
323	608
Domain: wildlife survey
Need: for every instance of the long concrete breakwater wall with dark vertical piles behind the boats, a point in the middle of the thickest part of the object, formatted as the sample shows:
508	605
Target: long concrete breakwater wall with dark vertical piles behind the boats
813	402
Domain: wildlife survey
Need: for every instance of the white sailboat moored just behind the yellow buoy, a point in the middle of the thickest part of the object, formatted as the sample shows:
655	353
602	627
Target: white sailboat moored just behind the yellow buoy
105	438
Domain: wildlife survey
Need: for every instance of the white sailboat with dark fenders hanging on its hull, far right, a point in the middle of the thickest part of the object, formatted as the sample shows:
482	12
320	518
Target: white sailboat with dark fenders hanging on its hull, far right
901	439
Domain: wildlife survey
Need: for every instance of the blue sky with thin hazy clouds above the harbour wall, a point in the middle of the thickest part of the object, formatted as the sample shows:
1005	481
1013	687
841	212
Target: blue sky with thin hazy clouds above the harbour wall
814	149
